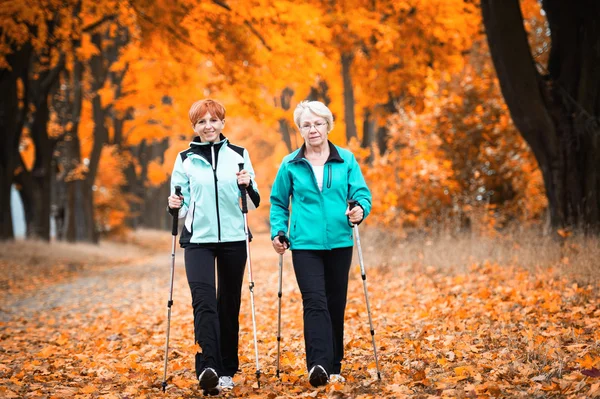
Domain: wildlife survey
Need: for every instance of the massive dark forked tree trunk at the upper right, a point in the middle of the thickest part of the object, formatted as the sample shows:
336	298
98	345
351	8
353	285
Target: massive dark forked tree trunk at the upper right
557	114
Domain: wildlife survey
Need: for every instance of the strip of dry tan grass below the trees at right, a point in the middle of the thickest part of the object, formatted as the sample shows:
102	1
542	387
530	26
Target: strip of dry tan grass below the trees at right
575	257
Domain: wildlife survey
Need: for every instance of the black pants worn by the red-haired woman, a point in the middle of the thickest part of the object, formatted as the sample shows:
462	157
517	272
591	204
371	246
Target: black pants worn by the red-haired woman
216	311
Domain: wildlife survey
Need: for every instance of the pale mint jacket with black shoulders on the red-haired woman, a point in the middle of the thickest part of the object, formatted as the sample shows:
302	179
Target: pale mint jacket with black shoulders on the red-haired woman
206	173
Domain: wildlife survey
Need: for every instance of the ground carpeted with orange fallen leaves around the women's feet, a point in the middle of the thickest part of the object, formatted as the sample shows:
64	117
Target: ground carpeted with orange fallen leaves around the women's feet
491	331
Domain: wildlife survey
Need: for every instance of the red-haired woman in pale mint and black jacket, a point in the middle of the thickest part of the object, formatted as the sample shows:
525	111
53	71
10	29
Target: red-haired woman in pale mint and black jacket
209	177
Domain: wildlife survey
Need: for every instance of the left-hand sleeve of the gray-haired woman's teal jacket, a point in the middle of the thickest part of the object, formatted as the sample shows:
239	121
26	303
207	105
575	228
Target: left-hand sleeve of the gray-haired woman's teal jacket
280	201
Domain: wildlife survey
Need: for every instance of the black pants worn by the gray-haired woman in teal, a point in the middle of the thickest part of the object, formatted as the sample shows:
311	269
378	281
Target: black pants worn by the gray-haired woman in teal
323	280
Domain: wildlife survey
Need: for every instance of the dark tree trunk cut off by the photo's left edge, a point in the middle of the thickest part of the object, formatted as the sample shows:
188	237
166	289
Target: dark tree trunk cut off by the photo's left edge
11	123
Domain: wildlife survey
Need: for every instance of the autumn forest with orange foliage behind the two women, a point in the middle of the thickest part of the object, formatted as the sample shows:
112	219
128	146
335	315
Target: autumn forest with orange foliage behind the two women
95	99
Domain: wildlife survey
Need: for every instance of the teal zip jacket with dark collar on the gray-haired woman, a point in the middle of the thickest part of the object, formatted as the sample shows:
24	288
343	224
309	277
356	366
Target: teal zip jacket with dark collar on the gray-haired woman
318	218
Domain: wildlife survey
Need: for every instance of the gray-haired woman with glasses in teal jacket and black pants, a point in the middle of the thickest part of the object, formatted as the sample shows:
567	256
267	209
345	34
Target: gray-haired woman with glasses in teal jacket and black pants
317	180
